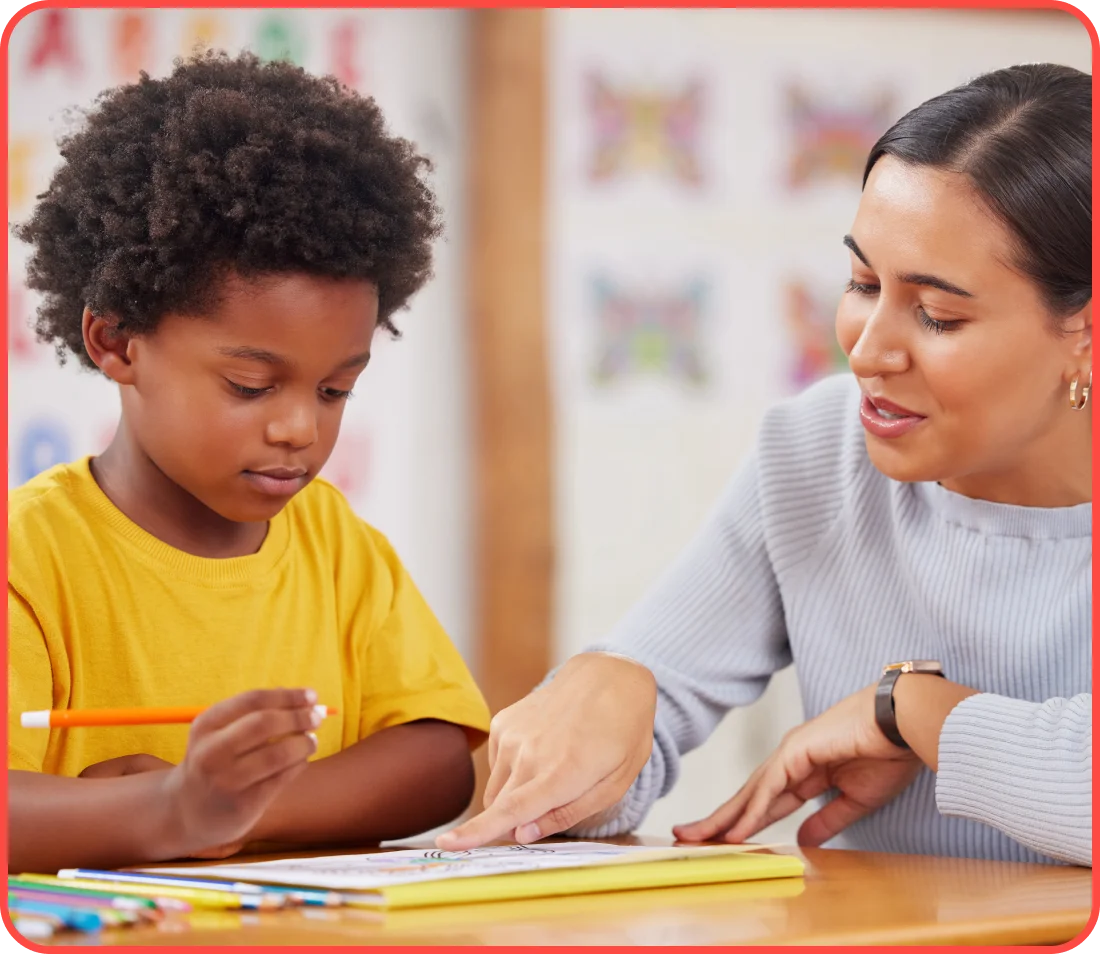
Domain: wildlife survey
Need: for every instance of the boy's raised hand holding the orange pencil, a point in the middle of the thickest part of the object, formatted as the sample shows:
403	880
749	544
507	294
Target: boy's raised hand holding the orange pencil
241	754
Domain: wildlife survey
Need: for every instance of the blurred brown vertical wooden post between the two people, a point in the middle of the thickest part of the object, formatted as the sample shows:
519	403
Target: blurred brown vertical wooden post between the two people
512	400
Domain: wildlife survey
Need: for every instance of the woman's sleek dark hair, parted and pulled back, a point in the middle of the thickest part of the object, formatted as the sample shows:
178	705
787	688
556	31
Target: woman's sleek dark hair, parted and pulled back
1024	136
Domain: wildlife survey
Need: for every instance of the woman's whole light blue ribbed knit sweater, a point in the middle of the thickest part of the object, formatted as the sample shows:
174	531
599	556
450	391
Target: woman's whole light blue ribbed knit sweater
813	556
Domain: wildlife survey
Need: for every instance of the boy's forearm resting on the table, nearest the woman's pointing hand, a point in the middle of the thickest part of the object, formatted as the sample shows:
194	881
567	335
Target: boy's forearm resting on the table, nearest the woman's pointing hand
398	783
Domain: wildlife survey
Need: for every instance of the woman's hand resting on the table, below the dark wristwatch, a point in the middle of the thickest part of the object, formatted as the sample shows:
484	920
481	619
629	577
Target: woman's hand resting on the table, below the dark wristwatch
844	750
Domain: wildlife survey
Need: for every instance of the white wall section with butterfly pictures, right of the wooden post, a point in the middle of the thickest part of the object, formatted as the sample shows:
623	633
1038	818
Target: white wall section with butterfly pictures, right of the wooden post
705	168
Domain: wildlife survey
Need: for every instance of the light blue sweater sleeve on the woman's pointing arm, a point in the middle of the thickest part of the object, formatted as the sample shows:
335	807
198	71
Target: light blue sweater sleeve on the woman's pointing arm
713	630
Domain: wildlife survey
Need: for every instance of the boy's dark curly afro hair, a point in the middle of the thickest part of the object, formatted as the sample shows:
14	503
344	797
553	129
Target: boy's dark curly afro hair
228	165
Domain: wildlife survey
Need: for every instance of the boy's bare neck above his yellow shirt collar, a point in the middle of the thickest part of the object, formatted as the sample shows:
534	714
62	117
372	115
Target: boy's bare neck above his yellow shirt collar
160	507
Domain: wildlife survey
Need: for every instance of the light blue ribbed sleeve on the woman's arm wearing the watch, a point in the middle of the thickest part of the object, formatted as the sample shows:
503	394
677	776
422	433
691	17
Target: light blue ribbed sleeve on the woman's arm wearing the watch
1025	769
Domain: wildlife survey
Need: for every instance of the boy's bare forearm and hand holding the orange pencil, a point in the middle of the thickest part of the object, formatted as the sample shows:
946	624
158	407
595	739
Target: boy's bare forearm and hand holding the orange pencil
243	753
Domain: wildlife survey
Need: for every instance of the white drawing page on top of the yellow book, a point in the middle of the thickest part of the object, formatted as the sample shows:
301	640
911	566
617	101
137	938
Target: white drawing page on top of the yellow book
382	870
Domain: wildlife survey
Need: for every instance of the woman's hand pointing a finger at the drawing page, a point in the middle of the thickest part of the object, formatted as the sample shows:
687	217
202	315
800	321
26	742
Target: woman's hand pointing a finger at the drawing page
565	753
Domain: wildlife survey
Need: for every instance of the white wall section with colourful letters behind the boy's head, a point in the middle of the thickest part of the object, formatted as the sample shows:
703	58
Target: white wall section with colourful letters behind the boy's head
403	458
